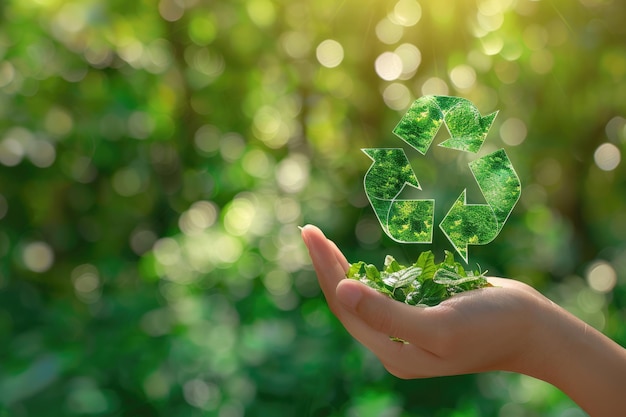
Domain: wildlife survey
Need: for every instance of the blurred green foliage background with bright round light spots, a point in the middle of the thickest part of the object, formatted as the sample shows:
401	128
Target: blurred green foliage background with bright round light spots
156	158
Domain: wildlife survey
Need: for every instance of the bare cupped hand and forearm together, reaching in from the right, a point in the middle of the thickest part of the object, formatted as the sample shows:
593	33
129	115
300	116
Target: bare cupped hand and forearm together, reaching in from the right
508	327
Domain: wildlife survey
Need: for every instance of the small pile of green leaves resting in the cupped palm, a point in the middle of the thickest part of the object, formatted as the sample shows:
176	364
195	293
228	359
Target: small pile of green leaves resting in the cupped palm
424	283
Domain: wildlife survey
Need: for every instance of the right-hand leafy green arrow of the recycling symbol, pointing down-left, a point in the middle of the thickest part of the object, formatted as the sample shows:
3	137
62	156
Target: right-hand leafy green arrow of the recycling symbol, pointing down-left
478	224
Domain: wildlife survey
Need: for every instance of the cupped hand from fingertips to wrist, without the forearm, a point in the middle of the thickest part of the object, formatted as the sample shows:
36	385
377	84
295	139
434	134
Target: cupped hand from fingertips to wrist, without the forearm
471	332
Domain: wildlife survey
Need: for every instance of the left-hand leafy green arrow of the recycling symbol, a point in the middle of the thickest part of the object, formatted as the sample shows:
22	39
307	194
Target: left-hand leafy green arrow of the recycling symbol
405	221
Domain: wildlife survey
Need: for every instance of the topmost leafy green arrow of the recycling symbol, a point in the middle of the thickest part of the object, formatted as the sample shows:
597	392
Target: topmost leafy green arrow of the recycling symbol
467	128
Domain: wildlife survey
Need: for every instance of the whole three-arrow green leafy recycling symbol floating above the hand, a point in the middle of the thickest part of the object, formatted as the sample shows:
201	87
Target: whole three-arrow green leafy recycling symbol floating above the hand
411	221
